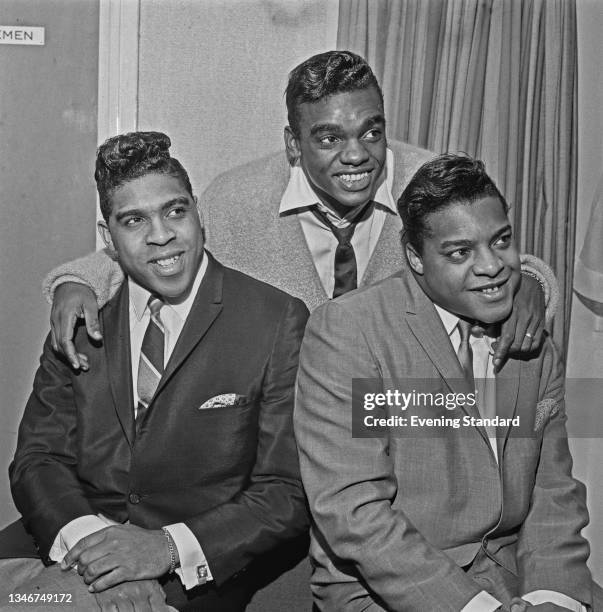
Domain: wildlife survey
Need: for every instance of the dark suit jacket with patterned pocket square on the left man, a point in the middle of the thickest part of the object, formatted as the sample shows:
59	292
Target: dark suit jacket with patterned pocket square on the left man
231	474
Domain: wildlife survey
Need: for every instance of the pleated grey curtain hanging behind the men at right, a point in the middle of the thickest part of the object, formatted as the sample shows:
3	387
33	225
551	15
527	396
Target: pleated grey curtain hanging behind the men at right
496	79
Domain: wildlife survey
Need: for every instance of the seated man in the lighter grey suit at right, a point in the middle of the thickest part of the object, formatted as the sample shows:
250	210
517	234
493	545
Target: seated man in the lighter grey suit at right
480	513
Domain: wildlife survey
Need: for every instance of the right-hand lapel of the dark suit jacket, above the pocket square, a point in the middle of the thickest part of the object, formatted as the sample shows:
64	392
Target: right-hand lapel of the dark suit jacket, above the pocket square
206	307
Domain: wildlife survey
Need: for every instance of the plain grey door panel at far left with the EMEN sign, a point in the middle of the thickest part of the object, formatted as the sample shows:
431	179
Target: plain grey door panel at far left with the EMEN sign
48	109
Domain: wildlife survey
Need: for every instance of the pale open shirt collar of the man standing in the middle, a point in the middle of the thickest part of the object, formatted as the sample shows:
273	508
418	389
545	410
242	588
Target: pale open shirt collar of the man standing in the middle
299	192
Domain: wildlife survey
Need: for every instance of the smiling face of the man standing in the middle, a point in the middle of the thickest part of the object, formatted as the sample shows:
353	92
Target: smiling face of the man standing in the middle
341	146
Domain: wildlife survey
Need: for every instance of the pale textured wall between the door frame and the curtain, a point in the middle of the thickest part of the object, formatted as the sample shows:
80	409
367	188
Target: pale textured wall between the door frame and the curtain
213	74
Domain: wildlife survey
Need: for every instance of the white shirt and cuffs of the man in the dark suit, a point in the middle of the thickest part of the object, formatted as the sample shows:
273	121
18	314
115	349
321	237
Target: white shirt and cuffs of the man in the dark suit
173	317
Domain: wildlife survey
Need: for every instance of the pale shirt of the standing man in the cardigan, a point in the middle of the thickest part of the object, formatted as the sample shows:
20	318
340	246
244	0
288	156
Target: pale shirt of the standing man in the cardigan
299	196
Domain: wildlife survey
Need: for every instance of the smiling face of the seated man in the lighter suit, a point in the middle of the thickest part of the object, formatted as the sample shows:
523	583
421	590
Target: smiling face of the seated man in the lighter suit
469	265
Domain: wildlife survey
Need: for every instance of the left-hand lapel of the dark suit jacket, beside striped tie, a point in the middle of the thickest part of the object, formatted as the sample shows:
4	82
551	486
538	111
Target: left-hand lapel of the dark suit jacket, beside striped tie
115	320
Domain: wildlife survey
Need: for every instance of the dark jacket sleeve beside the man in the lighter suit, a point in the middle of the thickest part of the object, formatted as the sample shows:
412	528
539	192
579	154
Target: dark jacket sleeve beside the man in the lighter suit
272	509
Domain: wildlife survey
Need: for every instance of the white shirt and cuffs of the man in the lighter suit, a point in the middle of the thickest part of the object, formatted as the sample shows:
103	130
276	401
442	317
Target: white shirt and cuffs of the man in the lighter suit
483	372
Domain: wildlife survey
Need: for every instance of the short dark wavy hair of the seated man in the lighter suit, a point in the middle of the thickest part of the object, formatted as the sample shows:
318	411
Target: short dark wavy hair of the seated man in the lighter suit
444	180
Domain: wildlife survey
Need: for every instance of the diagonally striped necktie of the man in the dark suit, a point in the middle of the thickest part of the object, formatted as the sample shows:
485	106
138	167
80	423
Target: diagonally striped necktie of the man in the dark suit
150	367
